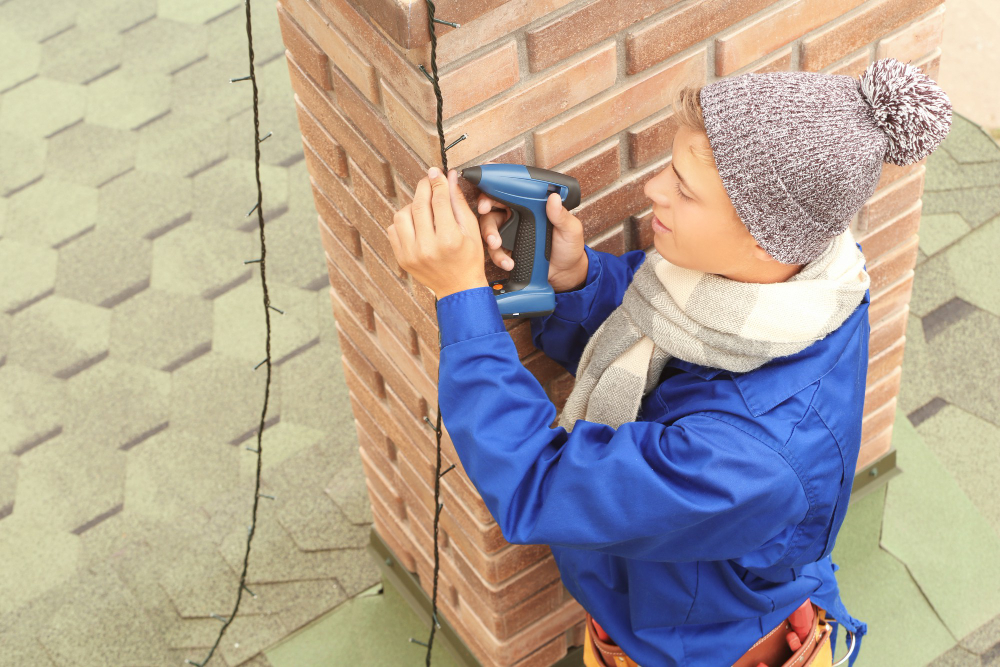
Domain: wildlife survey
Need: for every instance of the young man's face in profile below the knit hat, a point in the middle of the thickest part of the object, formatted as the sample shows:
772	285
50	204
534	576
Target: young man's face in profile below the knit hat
705	233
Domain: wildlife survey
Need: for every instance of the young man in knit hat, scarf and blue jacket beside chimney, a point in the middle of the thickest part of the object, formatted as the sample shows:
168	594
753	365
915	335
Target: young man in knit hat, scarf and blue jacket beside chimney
699	473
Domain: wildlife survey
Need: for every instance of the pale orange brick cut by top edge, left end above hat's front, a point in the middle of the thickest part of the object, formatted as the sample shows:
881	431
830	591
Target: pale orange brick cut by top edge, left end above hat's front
774	30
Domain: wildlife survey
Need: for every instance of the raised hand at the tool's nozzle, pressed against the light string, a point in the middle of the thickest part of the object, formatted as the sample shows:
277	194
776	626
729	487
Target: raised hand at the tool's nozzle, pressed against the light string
436	237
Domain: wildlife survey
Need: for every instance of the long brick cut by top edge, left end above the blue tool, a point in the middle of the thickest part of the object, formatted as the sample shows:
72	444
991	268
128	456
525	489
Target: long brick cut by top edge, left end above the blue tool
583	27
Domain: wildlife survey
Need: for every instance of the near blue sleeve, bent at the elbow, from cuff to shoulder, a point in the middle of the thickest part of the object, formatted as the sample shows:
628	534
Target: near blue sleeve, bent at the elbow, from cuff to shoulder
698	489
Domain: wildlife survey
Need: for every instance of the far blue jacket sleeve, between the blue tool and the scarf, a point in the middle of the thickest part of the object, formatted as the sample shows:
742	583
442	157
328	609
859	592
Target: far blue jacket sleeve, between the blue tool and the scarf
564	333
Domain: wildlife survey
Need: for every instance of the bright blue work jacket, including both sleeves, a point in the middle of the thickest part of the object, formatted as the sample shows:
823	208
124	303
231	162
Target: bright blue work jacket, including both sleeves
693	531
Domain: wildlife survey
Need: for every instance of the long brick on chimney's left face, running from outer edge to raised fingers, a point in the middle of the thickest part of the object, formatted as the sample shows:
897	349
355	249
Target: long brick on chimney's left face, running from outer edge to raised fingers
321	106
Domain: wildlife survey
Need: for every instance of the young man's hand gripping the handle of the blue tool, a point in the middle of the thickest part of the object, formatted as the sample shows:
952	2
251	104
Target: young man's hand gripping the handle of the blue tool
567	257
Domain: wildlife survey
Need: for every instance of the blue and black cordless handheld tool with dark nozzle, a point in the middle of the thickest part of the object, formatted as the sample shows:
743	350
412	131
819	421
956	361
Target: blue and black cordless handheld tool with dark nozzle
525	189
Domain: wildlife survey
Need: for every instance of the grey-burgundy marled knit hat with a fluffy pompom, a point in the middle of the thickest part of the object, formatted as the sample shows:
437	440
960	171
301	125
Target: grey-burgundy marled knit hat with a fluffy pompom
800	153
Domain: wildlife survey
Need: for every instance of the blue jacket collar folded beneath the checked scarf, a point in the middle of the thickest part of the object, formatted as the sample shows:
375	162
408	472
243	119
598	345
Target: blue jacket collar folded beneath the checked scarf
773	383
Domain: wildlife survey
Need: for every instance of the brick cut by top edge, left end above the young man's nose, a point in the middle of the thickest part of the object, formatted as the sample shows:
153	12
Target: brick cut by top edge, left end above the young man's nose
673	32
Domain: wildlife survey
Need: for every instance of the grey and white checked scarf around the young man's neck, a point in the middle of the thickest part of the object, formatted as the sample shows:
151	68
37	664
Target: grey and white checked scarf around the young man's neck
707	319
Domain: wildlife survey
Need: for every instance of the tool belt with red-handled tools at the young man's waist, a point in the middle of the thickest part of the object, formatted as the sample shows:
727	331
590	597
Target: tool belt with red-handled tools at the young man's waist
781	647
